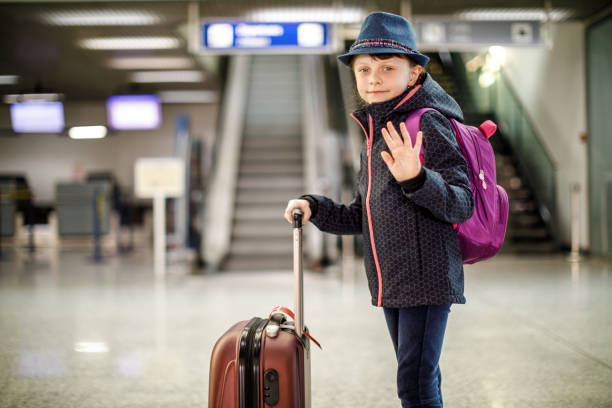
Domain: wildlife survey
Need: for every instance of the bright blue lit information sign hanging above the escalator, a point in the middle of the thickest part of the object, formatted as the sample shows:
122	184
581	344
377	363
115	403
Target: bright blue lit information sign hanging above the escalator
222	36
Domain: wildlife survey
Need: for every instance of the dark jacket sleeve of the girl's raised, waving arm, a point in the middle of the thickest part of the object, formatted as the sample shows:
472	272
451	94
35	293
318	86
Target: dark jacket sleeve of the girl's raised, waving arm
445	187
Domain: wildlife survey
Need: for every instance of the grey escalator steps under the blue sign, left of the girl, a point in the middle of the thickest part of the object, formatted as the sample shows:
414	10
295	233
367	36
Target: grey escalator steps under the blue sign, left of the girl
270	166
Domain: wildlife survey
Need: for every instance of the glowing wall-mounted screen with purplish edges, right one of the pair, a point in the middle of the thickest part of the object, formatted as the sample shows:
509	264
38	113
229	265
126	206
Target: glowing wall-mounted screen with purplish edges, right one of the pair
134	112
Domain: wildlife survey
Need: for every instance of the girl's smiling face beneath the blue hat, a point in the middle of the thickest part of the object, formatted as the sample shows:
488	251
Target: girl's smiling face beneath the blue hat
379	80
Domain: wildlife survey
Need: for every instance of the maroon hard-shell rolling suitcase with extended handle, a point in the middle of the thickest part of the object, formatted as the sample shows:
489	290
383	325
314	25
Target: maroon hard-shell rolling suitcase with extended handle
261	363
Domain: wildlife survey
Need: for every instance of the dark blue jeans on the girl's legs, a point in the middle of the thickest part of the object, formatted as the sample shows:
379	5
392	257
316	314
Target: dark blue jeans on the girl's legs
417	334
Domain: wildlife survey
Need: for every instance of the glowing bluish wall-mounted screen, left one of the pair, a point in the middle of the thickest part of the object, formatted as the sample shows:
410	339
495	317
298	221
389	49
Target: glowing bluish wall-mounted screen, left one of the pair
37	117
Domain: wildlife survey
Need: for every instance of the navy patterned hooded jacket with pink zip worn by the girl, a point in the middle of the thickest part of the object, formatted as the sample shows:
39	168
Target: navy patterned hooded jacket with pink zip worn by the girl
412	256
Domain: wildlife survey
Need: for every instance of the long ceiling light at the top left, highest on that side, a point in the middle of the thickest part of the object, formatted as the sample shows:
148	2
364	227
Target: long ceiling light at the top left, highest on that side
101	18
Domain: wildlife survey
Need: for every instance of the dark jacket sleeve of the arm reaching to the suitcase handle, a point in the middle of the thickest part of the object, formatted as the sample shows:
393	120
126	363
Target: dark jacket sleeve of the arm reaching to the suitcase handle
337	218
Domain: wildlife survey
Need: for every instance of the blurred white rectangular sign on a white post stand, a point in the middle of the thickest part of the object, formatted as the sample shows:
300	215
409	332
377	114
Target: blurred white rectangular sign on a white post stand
159	178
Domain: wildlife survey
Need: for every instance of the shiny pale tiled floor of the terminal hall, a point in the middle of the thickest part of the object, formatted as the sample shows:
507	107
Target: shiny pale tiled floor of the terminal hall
534	333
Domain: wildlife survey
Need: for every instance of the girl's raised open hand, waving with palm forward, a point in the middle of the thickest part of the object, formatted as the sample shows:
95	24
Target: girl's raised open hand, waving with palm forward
404	161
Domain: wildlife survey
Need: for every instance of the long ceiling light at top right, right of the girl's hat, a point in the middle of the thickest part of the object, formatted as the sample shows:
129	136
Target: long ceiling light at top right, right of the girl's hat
525	14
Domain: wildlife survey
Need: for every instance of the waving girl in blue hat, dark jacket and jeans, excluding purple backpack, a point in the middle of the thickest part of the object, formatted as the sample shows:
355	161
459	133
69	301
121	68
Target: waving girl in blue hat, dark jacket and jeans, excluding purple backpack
404	209
